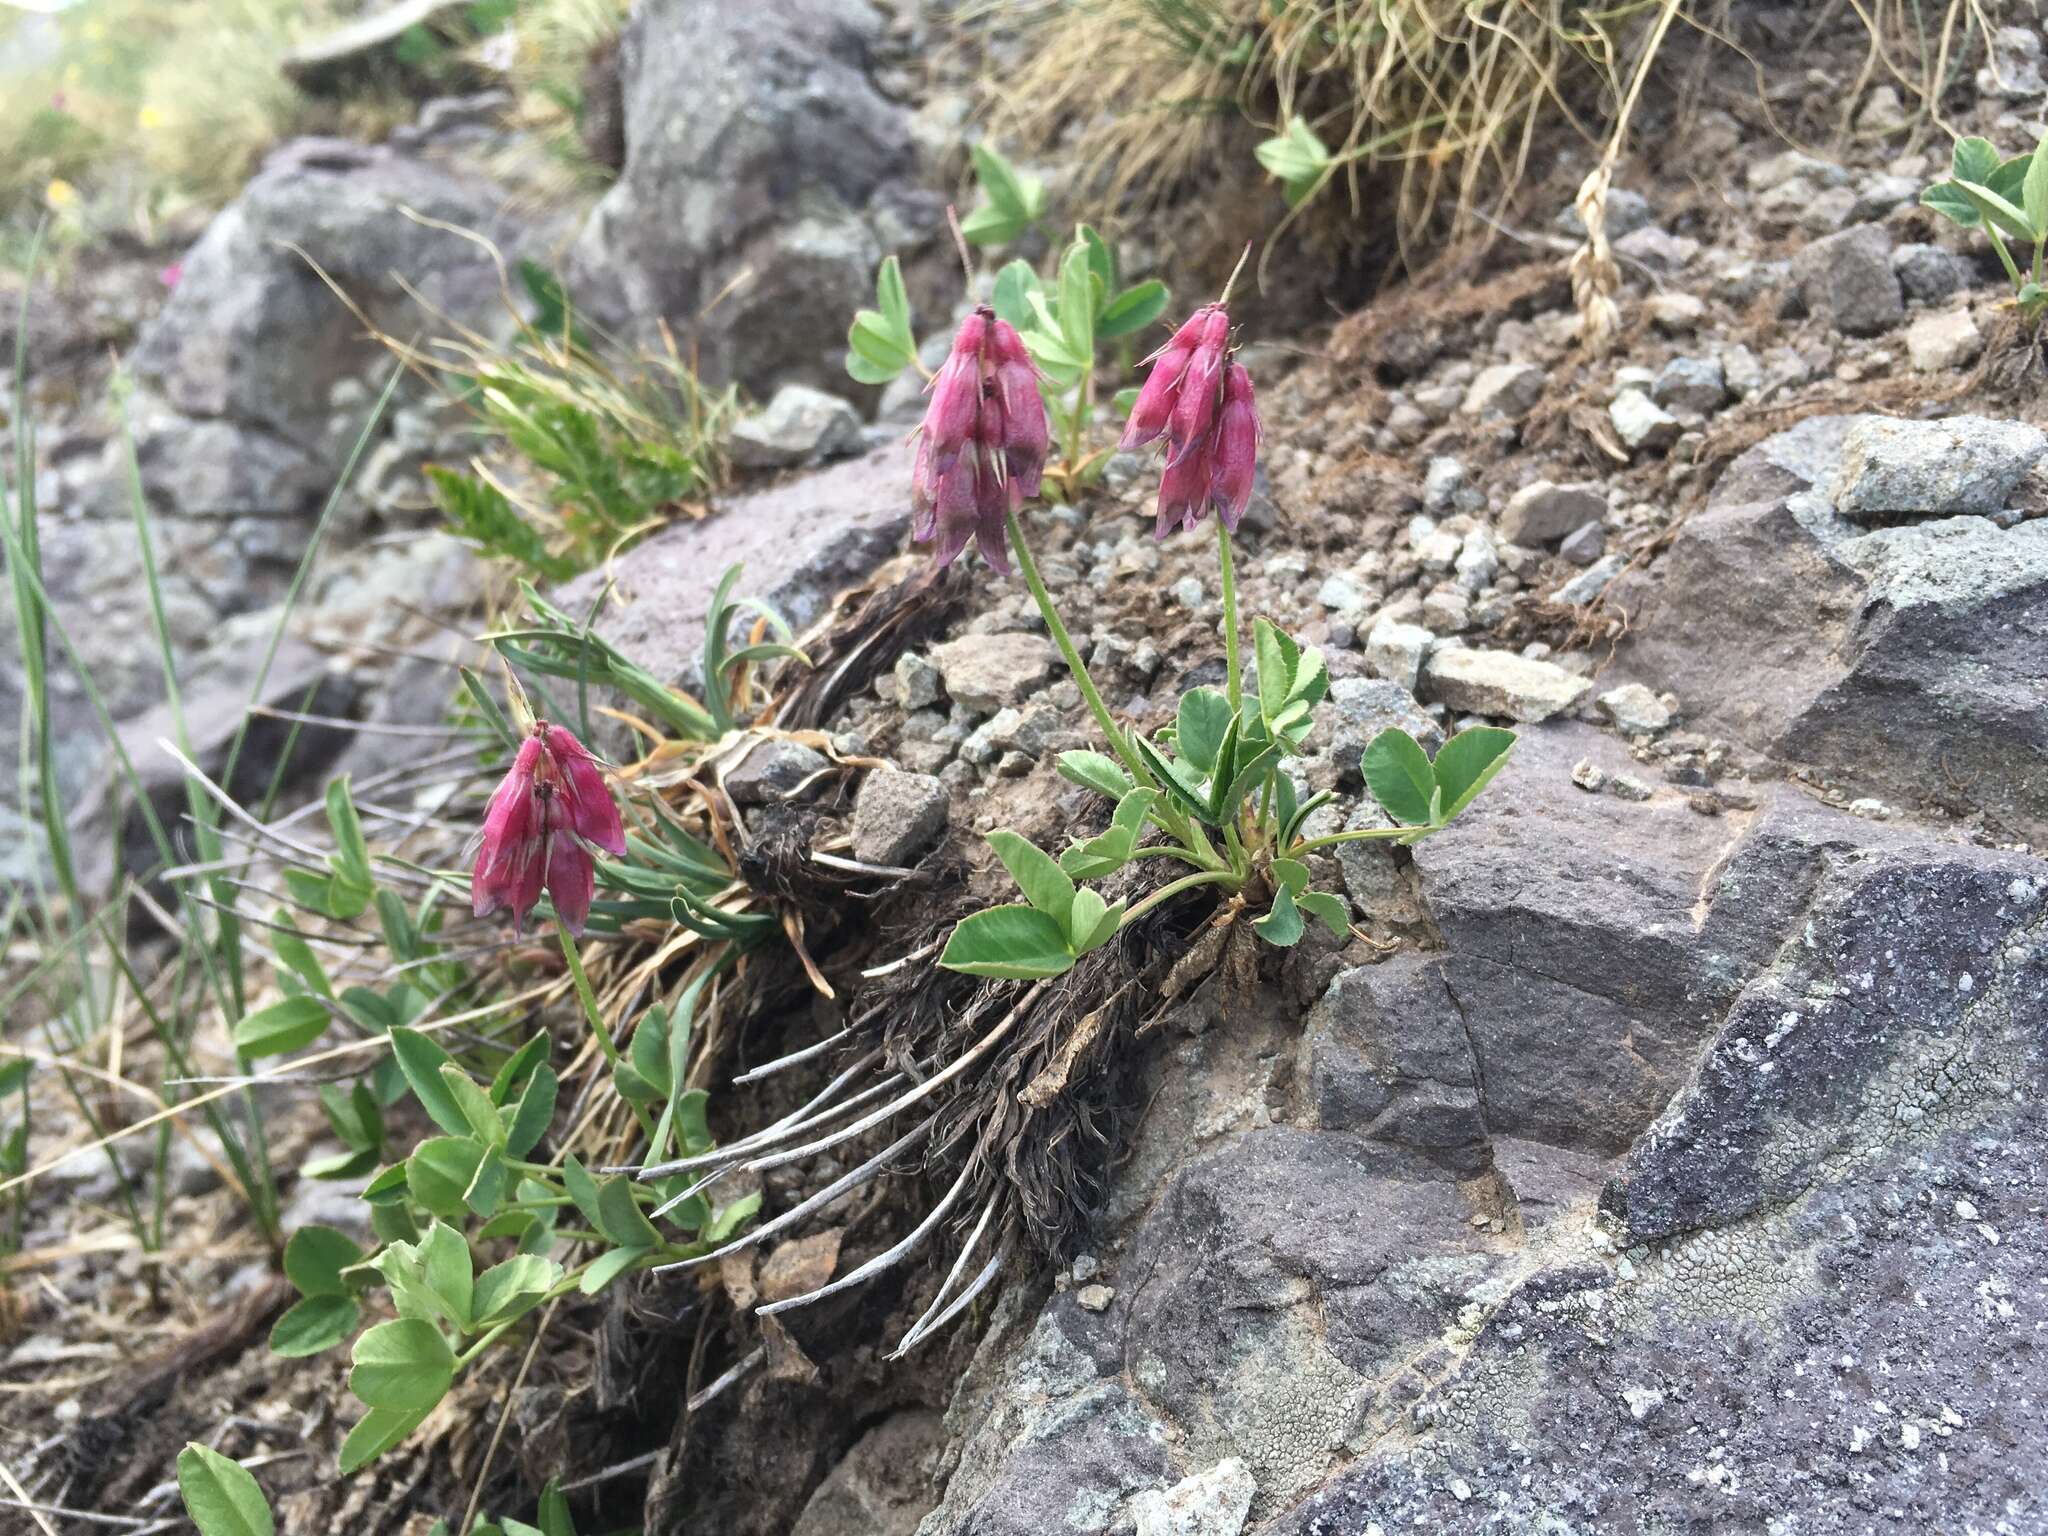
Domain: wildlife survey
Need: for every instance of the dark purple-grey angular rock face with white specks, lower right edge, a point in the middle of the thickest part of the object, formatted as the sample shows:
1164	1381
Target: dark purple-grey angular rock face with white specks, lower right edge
1916	996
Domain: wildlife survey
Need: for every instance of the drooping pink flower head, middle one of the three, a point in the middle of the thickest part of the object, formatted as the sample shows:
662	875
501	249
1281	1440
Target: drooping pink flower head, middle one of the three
982	443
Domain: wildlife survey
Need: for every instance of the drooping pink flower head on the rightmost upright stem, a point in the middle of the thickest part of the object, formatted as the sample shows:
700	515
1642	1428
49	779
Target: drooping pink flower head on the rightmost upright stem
1201	402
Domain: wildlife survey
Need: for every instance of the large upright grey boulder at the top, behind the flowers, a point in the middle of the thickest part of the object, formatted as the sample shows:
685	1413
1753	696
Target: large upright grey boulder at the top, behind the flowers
757	142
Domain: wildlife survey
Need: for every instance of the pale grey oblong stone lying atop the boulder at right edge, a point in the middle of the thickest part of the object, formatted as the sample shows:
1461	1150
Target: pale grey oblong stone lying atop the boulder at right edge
1963	464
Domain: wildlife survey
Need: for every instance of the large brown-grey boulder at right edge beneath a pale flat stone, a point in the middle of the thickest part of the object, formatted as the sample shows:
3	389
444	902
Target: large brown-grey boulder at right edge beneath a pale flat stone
1904	660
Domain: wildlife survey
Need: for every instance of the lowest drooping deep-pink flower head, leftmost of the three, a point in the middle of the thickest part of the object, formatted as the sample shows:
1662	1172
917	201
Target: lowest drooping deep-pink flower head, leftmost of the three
546	816
